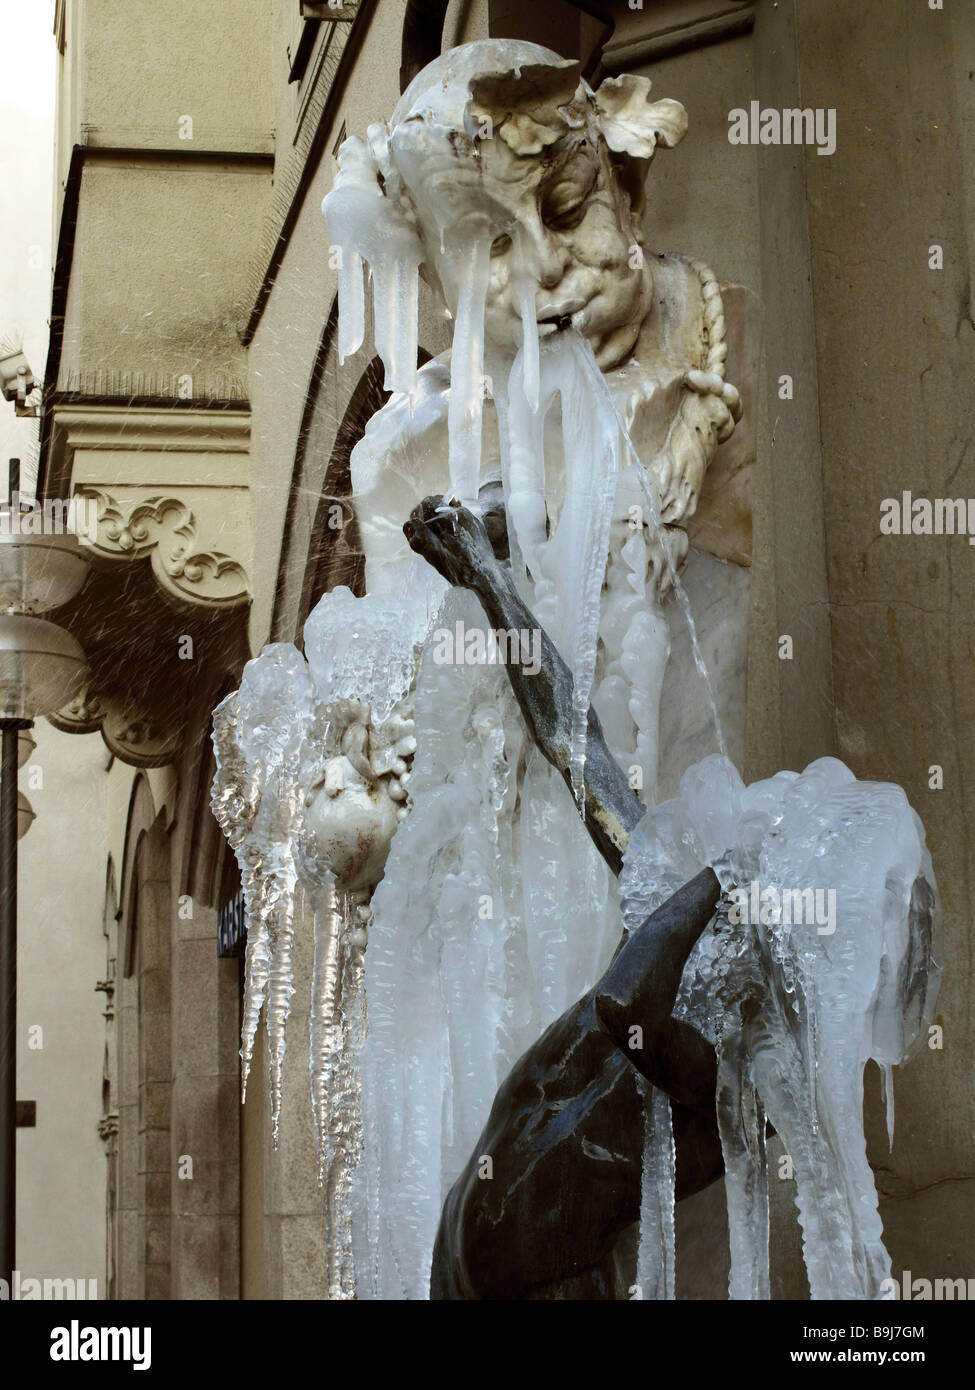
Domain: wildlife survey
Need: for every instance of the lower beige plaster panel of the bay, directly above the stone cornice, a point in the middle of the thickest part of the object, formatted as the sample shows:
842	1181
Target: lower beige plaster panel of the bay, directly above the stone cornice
159	275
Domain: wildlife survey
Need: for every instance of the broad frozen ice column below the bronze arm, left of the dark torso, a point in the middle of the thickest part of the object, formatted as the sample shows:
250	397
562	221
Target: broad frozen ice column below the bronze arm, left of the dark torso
439	1046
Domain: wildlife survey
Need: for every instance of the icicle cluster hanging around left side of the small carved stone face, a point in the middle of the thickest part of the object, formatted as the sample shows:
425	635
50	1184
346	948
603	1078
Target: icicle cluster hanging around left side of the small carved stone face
272	739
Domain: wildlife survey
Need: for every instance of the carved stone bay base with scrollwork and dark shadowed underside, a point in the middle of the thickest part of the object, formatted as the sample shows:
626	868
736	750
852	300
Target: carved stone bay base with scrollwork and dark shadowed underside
163	615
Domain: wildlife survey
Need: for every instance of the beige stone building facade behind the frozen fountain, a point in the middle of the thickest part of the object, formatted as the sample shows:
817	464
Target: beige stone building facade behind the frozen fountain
194	391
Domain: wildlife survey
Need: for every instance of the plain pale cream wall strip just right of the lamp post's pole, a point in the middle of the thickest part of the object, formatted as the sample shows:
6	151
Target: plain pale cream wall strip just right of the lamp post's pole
62	878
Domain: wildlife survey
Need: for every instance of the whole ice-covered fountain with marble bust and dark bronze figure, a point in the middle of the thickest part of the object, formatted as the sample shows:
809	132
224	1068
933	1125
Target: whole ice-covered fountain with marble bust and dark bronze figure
461	908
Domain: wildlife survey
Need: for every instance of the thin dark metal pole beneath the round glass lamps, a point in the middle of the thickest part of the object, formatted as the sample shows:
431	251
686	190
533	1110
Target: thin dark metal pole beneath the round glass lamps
9	999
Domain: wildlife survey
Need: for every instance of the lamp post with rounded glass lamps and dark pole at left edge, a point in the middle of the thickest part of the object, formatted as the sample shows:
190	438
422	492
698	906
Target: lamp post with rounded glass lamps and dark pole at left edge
41	669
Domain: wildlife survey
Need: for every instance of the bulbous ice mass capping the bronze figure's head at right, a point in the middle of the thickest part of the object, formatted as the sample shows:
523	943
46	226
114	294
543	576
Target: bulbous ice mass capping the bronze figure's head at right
848	851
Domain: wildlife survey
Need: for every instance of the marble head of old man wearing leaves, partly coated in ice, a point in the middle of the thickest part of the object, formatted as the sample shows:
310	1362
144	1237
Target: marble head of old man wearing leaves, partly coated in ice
503	142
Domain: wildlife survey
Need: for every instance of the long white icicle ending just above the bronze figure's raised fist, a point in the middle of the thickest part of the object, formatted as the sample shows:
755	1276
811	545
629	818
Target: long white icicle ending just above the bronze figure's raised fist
471	269
